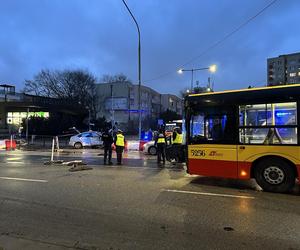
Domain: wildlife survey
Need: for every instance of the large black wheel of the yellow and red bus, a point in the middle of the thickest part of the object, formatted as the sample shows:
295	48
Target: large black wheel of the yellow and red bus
274	175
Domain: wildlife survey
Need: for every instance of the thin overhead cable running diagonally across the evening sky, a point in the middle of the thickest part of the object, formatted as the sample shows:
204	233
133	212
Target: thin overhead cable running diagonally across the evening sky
214	45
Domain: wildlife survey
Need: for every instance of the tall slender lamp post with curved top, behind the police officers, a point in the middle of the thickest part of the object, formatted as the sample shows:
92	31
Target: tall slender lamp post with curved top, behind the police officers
139	66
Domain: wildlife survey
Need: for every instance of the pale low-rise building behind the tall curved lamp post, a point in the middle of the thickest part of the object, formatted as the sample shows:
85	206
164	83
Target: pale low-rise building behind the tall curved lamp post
118	102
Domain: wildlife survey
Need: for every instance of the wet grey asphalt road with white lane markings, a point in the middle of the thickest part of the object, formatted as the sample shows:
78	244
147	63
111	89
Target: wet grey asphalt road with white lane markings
136	206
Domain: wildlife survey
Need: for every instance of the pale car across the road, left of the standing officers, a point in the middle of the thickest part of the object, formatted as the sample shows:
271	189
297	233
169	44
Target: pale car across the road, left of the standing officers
86	139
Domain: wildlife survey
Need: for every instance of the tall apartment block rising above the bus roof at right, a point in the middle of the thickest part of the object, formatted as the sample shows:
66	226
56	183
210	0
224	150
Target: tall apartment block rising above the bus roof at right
284	69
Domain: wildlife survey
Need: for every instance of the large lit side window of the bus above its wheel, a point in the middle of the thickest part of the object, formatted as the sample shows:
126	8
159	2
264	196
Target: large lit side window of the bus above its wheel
274	123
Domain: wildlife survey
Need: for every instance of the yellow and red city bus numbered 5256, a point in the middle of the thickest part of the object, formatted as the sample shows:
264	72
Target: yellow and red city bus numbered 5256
247	133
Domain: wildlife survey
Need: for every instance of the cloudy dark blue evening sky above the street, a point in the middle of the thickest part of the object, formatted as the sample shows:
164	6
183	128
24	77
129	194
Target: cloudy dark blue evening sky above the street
100	36
